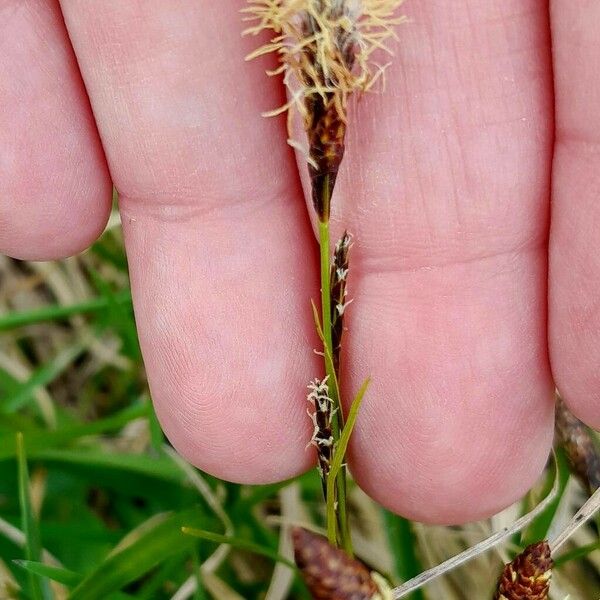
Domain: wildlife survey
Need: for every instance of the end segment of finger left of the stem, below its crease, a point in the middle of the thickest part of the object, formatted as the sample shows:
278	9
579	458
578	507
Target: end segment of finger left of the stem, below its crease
227	359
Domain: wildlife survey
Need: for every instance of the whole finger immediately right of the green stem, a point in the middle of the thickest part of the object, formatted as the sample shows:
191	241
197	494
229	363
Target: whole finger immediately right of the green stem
445	186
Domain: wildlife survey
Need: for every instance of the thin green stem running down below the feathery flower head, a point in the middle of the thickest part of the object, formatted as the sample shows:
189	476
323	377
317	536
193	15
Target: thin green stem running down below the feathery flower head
339	534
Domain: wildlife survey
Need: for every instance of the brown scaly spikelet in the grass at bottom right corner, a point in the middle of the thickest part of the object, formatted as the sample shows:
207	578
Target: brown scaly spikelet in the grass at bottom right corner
527	577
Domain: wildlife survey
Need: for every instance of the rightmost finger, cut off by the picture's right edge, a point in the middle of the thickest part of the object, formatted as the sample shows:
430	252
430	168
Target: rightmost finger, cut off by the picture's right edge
574	325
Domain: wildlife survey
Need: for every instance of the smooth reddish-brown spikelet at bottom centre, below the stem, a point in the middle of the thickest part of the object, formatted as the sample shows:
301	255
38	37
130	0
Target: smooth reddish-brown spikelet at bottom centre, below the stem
329	573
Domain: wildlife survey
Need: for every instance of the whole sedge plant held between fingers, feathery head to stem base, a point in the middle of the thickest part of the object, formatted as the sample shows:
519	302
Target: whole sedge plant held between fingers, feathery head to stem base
324	49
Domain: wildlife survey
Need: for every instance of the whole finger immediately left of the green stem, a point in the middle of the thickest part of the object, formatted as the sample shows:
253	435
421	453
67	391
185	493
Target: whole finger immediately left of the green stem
216	231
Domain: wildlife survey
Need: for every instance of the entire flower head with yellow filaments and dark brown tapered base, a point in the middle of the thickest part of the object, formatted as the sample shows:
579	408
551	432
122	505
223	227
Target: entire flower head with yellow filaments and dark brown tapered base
324	49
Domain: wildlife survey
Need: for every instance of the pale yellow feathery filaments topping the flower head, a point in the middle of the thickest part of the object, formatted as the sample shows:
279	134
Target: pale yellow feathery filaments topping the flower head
325	44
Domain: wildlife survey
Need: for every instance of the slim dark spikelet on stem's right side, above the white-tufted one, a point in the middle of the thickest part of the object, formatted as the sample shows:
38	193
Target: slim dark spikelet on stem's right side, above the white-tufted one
338	279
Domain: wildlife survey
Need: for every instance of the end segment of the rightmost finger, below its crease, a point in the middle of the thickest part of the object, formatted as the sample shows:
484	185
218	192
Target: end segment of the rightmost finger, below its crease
574	279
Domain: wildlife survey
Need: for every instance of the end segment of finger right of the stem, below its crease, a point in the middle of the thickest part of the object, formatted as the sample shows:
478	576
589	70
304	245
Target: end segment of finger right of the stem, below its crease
459	421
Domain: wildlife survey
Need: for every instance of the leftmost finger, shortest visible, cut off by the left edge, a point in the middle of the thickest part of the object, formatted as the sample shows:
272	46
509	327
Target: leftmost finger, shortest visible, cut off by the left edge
56	191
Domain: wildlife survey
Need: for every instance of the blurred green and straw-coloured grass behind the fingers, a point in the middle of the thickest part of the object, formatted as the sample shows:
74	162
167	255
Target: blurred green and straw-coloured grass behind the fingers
92	497
